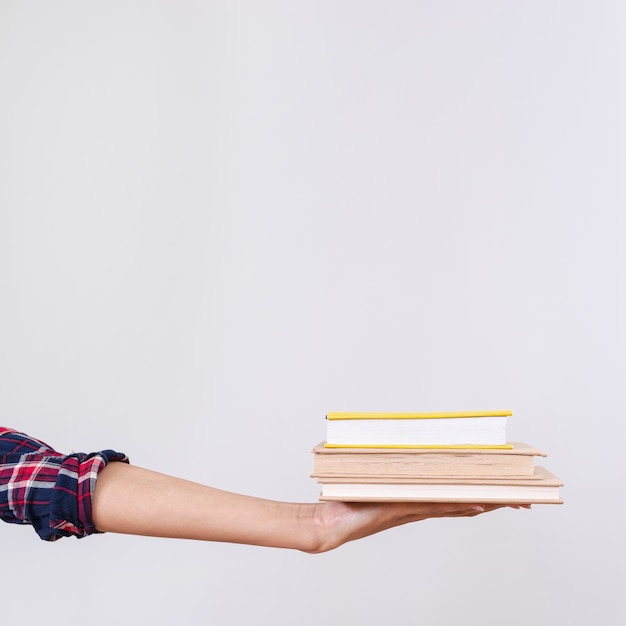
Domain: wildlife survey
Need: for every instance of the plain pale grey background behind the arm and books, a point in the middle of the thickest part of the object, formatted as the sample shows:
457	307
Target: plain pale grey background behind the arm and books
220	220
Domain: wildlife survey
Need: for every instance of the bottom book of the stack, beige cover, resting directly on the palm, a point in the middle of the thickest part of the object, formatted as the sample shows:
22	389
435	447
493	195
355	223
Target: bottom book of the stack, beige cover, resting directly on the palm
542	488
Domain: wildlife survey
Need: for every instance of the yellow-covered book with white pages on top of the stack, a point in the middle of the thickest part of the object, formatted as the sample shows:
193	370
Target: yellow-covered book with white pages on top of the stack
463	429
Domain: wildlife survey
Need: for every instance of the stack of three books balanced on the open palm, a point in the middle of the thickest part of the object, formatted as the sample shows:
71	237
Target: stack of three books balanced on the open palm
429	457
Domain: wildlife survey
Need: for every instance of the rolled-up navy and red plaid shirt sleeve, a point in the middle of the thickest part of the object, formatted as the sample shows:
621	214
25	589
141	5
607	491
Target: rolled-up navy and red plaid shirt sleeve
46	489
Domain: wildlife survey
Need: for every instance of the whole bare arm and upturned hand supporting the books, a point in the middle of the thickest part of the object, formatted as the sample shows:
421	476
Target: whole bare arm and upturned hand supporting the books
137	501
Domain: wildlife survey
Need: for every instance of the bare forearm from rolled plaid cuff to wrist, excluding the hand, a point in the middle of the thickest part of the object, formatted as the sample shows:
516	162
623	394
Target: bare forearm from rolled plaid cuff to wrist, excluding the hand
137	501
